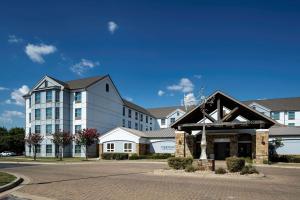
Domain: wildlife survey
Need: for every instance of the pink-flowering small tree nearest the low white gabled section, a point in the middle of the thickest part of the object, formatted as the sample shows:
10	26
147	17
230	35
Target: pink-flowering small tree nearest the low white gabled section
87	137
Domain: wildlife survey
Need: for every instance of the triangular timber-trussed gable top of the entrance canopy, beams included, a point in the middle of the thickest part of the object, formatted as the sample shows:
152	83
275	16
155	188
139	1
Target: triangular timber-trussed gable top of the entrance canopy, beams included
223	113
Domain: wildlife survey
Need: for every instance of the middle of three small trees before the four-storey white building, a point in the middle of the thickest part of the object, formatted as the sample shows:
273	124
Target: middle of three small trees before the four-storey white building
62	139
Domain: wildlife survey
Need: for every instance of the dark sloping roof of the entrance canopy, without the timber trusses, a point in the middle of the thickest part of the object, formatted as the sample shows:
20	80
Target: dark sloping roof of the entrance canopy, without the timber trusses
196	115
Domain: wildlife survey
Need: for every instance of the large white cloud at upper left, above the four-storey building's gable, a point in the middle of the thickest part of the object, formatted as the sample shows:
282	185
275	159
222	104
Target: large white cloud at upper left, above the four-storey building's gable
36	52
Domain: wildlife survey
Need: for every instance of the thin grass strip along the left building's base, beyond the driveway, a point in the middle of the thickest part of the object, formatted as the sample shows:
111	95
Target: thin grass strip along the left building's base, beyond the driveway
29	159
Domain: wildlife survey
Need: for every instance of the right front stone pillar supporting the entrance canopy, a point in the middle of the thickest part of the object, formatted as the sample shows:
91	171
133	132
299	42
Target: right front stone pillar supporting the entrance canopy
262	145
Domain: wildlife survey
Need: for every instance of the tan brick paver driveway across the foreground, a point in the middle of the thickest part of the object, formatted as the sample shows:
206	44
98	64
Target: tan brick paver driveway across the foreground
123	180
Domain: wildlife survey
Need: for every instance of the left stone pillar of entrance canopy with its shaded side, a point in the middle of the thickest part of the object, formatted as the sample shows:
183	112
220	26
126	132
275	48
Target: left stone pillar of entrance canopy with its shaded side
184	144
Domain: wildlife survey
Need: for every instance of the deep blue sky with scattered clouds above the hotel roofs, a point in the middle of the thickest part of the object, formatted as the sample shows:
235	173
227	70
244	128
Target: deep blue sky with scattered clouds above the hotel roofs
249	50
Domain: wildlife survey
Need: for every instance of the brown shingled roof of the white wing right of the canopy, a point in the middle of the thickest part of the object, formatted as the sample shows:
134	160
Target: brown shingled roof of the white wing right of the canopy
280	104
